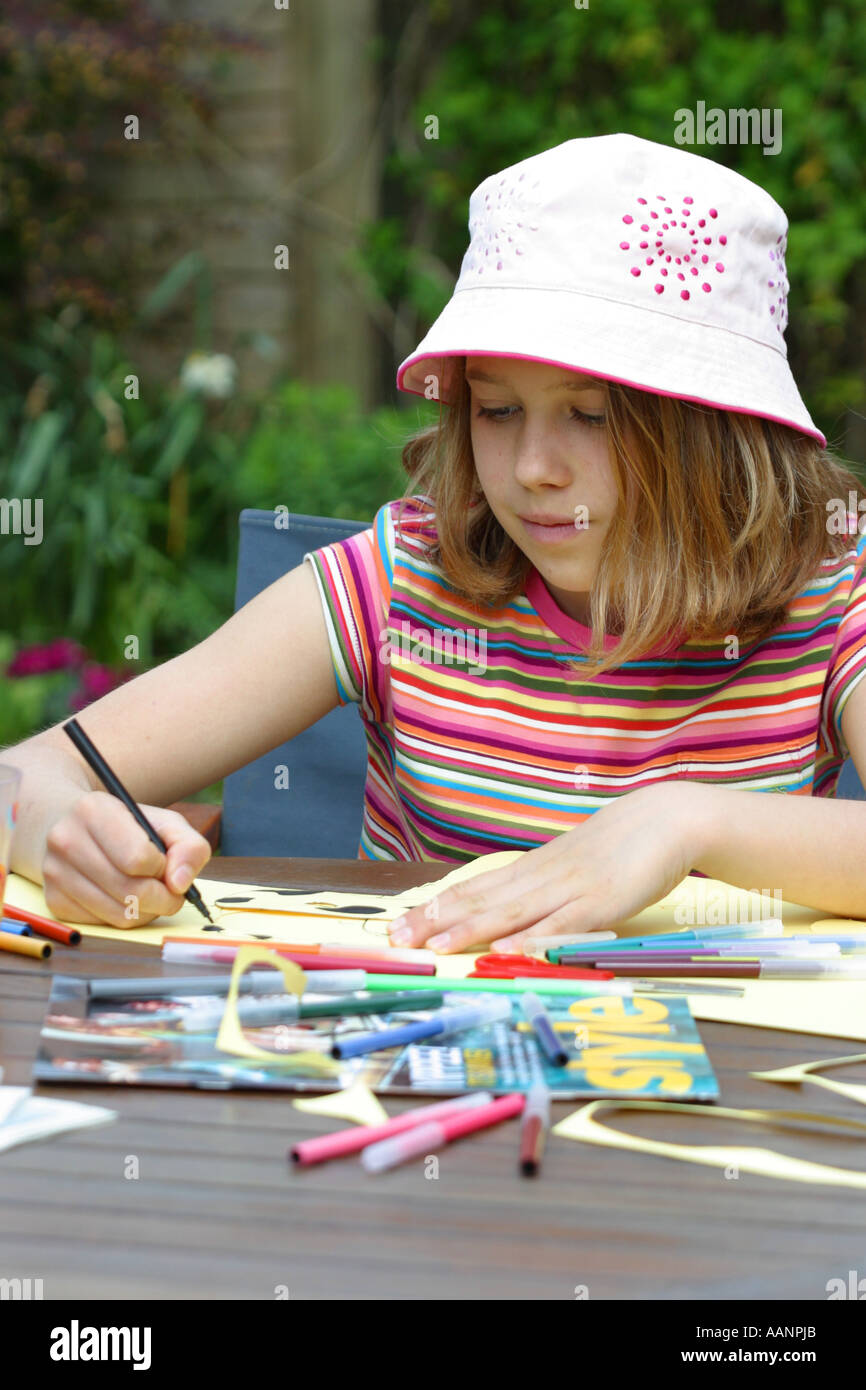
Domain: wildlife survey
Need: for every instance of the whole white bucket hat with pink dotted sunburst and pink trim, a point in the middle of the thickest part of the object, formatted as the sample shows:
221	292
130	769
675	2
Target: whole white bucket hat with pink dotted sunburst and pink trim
629	261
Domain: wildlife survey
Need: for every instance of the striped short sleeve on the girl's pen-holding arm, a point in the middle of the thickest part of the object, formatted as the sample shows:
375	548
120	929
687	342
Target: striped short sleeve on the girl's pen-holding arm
354	579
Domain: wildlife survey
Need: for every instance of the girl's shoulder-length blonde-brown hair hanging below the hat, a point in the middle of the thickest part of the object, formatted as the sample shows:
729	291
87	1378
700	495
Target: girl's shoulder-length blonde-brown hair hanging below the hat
722	521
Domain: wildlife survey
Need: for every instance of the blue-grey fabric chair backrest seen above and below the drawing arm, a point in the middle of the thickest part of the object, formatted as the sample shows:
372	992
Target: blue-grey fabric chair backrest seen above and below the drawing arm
320	812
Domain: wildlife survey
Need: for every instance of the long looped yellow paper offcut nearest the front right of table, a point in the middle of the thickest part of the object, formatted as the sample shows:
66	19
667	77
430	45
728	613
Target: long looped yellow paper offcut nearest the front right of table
765	1163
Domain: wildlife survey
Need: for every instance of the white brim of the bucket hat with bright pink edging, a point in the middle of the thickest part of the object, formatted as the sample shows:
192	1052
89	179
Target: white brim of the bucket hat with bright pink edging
607	338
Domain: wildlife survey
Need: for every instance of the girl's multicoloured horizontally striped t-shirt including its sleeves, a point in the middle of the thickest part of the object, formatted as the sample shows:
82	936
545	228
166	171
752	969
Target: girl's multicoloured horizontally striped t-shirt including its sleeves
480	739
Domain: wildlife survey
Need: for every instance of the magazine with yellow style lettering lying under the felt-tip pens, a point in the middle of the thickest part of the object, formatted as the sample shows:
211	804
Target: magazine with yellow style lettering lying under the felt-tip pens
616	1047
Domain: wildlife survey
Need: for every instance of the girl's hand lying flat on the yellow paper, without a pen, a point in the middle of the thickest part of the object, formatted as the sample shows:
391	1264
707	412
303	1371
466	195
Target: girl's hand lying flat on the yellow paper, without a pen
619	861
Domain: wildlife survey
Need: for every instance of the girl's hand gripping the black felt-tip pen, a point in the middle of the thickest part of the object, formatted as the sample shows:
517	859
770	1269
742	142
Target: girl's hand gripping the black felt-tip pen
101	867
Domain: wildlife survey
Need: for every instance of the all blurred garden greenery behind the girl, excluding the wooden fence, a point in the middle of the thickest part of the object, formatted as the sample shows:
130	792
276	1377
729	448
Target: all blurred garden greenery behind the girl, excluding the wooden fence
145	493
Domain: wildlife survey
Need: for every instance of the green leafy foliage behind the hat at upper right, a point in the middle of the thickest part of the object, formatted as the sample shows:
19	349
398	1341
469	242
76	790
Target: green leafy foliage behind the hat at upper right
518	79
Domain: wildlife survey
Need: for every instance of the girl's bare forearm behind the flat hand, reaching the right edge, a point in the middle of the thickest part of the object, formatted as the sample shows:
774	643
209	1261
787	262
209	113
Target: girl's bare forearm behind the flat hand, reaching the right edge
811	850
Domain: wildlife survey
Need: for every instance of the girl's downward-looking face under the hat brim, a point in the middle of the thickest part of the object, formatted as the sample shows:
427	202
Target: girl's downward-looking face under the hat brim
541	455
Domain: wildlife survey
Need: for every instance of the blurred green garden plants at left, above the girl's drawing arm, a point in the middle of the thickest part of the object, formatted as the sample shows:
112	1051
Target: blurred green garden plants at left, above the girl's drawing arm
141	497
